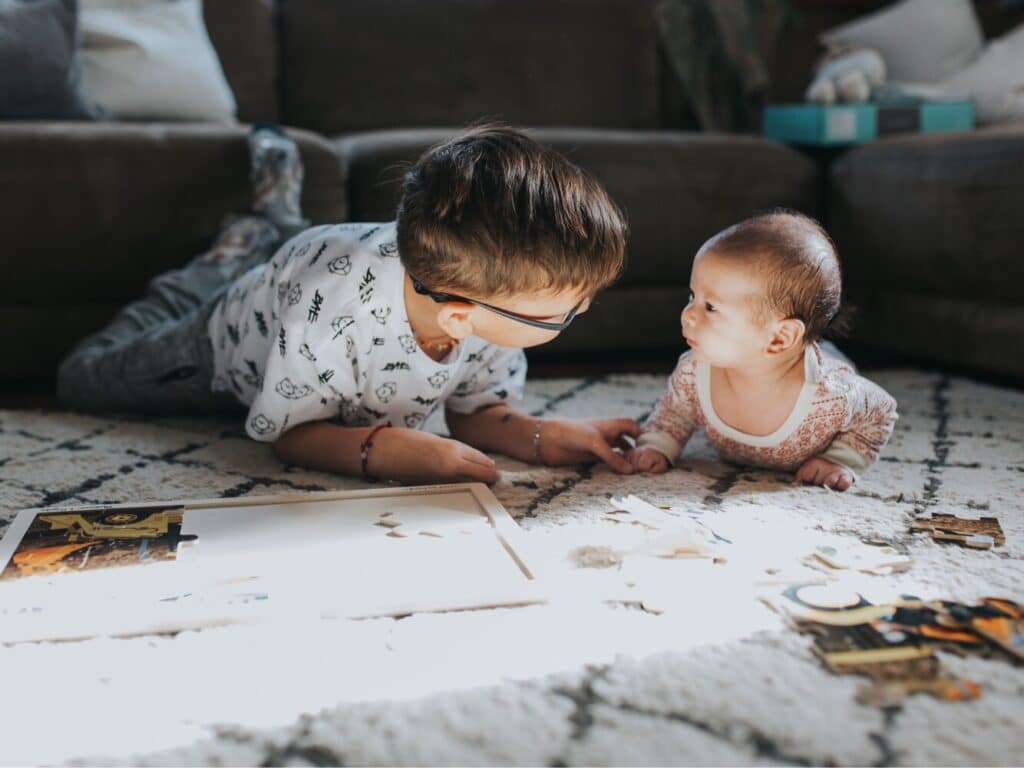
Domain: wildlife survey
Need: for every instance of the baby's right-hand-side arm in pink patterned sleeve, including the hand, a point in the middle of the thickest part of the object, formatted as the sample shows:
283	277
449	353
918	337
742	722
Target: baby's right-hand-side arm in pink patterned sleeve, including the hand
870	424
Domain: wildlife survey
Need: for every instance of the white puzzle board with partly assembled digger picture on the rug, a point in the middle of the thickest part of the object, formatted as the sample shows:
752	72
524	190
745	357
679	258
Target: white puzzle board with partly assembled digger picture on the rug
118	570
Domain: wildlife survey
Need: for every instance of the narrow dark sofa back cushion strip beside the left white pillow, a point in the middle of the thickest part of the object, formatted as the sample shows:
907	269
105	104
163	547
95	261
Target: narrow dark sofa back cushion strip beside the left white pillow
244	32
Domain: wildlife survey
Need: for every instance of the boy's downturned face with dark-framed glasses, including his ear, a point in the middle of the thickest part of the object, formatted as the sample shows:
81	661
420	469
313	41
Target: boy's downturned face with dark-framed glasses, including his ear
461	320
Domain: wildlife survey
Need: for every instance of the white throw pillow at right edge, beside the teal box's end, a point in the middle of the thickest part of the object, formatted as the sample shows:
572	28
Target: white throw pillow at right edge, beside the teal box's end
995	81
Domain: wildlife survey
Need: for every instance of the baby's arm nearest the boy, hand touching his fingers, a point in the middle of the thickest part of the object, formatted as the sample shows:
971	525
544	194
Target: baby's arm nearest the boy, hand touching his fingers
670	426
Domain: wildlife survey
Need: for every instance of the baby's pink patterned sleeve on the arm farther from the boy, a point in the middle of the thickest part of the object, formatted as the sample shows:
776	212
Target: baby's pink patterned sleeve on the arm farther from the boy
872	416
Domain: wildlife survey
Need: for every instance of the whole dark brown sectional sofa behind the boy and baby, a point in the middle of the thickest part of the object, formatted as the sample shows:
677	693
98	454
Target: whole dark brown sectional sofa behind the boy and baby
93	211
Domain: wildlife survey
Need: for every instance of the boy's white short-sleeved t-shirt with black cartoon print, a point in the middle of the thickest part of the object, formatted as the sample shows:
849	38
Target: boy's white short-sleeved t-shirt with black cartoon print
321	333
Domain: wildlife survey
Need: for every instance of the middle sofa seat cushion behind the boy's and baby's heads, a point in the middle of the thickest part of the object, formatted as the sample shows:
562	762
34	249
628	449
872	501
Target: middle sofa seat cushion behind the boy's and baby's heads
677	189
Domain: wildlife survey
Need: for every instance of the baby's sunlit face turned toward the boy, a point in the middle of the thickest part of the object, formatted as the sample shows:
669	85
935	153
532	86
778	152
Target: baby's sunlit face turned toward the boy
720	323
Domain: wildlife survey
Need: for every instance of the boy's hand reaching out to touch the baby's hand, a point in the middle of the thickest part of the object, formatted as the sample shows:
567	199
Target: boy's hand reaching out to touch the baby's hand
567	442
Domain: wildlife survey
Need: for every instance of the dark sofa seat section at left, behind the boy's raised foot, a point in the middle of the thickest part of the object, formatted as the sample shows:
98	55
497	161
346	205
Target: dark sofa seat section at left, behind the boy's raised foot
118	204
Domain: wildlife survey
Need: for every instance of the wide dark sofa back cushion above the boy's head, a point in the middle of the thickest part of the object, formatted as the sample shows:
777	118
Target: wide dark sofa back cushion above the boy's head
363	65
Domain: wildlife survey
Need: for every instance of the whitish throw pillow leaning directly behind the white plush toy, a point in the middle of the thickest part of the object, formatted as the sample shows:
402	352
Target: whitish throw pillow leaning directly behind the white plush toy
922	41
